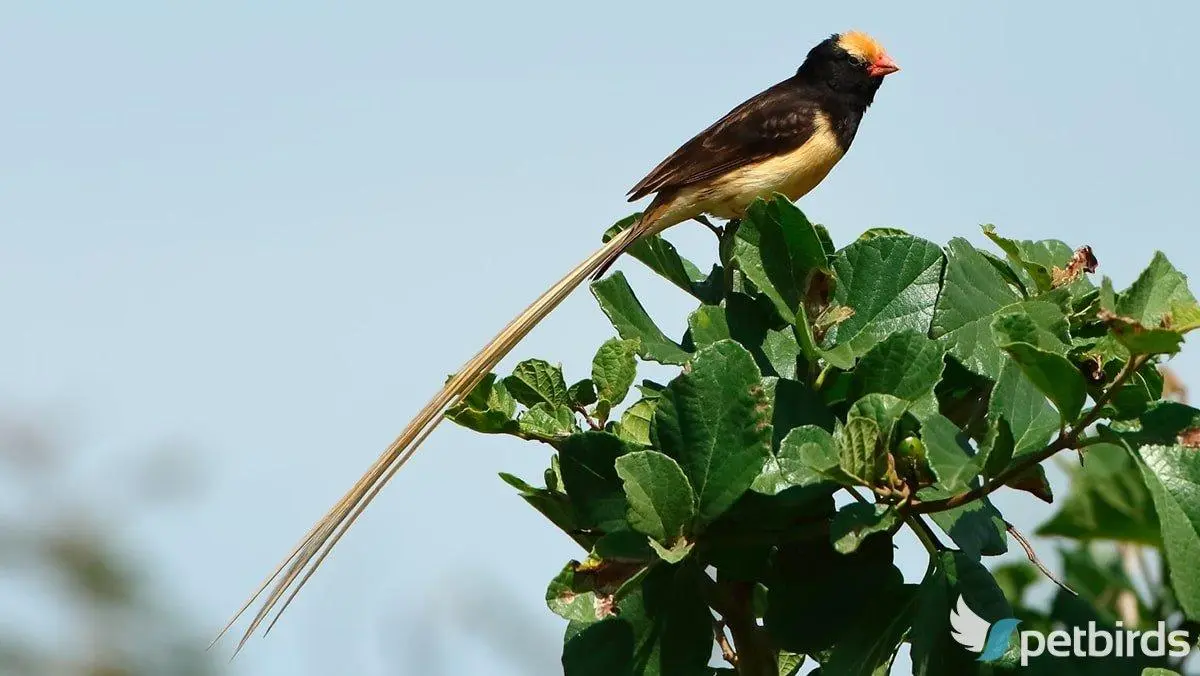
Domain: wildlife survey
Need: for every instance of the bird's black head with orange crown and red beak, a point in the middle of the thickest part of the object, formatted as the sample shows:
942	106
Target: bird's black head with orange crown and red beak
849	62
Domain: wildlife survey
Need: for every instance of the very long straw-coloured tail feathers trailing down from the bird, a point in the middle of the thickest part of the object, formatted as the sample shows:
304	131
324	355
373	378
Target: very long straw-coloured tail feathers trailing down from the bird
295	572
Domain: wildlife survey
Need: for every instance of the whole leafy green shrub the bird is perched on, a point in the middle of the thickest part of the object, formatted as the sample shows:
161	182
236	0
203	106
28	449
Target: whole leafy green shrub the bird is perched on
913	378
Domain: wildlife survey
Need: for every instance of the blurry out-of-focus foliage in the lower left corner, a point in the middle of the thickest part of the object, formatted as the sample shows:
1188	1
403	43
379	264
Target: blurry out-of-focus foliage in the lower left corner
76	601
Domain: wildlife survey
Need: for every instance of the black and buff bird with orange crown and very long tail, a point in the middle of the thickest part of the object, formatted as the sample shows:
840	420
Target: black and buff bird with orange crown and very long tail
784	140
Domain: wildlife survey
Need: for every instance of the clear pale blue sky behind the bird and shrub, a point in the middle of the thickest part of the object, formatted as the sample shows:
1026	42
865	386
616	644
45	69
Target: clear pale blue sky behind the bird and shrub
268	232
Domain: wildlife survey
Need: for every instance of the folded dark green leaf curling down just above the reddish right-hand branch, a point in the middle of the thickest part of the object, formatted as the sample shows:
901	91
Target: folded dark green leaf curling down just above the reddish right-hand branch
1052	374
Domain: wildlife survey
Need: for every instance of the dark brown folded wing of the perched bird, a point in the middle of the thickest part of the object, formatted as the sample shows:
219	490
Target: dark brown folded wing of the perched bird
773	123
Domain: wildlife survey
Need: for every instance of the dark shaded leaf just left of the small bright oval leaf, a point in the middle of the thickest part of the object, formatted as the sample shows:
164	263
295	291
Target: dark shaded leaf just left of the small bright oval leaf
590	476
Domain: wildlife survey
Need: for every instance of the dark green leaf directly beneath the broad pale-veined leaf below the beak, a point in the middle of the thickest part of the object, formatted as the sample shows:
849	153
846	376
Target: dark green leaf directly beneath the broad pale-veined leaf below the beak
907	366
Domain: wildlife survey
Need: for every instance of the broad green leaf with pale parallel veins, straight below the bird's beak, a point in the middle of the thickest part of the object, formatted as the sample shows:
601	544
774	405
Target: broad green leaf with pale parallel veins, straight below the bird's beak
891	284
